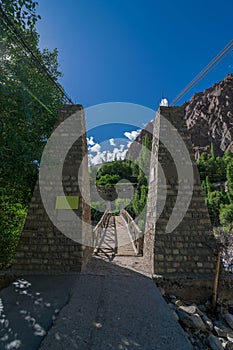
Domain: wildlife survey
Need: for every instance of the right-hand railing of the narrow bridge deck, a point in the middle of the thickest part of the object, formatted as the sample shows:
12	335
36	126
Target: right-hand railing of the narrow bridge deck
134	231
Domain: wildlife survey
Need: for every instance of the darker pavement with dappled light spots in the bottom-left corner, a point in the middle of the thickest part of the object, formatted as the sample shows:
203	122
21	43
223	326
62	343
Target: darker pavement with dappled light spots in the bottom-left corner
29	306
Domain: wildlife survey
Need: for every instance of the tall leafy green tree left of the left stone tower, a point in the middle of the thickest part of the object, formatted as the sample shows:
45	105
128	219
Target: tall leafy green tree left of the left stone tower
28	105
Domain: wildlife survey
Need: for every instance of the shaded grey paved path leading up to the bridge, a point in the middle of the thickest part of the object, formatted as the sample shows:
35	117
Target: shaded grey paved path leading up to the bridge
105	307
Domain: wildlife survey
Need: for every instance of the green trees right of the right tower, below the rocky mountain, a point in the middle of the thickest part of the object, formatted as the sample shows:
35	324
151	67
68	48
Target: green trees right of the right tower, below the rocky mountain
217	182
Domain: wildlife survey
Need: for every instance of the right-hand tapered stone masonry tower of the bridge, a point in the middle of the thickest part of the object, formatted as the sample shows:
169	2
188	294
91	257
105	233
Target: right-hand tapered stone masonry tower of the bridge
190	248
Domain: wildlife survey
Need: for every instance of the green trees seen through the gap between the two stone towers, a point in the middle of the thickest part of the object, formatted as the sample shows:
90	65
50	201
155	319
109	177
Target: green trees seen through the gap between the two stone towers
136	173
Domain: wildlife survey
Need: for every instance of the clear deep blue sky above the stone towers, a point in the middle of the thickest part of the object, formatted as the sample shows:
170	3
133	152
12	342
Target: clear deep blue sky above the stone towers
135	51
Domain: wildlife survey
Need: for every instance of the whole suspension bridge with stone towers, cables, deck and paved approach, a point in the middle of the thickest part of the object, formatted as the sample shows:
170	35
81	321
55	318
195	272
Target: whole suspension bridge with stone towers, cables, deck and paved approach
116	308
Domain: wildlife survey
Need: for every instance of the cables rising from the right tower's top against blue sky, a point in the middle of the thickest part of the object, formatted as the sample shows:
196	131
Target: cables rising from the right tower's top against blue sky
212	65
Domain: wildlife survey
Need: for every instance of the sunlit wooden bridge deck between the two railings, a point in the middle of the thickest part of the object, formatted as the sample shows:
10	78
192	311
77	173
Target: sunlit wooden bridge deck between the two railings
116	239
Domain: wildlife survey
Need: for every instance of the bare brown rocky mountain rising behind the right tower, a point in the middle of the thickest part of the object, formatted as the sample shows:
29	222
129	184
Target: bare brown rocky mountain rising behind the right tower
209	118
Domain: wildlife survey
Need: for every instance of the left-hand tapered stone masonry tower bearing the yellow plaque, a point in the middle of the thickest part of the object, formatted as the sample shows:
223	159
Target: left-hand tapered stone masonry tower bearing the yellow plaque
42	246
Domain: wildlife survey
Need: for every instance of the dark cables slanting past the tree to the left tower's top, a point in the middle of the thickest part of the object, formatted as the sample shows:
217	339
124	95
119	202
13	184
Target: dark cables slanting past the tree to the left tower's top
10	25
